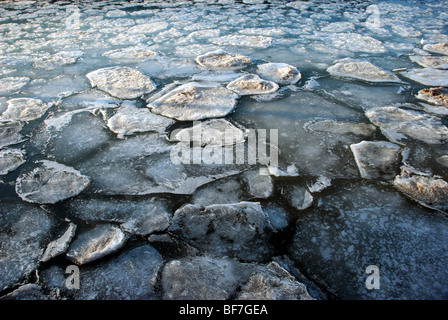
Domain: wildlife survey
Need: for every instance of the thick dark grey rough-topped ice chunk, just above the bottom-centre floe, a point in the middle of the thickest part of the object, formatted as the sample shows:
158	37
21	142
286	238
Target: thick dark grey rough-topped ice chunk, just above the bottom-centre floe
229	236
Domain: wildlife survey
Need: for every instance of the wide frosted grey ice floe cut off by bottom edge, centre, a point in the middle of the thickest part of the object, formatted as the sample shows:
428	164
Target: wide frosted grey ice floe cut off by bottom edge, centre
219	279
